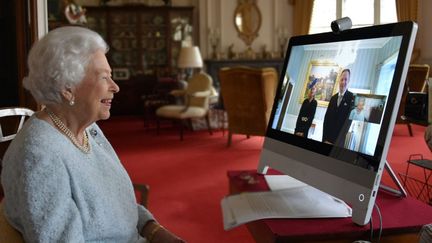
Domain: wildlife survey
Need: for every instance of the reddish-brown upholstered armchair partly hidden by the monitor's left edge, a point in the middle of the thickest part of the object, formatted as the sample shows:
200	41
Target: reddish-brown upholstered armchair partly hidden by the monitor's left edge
248	95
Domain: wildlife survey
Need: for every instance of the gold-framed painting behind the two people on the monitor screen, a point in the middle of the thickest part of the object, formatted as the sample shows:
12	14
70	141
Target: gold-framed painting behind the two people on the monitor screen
327	74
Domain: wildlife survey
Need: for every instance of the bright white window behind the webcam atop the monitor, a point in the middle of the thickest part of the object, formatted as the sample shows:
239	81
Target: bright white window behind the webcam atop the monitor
362	13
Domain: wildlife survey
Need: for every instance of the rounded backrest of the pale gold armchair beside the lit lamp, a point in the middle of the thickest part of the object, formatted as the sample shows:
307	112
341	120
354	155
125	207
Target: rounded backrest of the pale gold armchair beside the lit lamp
199	83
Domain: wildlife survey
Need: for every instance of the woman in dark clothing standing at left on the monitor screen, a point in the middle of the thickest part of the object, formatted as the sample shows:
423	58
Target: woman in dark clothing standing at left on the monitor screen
307	111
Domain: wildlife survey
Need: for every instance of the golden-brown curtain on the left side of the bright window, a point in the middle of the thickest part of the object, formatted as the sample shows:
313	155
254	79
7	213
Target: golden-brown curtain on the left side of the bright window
302	16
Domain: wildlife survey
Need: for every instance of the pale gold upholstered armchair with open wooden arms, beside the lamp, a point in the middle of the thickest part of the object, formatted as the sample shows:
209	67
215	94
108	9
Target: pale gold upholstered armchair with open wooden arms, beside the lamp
196	102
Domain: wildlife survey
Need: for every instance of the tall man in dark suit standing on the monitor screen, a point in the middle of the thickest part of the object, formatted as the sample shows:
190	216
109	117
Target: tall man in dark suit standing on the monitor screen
336	123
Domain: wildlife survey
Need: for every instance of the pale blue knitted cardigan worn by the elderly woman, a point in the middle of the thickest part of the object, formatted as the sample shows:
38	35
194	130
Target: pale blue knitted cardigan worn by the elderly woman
56	193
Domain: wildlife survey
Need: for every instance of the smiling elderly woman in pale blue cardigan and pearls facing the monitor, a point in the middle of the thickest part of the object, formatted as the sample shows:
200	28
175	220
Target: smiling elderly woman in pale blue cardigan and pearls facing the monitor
63	182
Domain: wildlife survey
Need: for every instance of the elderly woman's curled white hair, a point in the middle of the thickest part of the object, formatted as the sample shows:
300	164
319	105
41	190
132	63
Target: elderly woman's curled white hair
59	61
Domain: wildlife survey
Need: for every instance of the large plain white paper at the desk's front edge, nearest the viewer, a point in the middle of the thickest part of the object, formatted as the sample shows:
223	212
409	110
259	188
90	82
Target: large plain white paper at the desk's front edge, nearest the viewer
297	202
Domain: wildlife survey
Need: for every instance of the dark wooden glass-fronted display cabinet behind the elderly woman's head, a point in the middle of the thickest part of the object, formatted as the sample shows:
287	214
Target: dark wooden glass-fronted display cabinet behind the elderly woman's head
143	40
